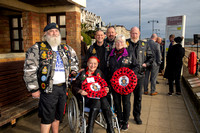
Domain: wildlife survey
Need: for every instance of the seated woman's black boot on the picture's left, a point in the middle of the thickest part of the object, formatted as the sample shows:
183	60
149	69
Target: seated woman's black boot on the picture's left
92	116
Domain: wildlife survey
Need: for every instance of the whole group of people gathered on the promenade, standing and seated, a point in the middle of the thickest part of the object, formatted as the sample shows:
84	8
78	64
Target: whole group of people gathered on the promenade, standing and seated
49	63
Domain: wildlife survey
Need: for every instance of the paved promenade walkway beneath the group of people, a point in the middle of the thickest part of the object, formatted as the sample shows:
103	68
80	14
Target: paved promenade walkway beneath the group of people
160	114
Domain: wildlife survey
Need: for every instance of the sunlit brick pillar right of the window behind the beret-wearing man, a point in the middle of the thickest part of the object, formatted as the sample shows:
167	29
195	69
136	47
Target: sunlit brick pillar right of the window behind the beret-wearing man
73	29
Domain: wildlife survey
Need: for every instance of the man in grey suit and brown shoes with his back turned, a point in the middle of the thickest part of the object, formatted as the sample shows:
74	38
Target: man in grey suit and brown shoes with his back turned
154	68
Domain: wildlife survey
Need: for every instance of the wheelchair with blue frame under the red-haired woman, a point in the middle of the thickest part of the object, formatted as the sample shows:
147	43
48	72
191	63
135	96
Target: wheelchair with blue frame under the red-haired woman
78	114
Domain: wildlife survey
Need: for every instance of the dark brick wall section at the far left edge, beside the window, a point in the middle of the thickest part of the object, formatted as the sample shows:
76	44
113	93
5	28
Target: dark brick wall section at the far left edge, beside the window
4	35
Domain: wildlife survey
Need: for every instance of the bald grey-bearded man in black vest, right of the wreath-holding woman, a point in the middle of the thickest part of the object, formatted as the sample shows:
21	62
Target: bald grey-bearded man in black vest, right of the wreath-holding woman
144	57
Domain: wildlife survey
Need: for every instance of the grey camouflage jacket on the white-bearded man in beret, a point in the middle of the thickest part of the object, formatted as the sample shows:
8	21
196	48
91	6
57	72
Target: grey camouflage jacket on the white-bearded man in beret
33	65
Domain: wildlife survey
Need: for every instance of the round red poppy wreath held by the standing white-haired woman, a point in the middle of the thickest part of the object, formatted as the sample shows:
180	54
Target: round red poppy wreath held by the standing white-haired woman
128	76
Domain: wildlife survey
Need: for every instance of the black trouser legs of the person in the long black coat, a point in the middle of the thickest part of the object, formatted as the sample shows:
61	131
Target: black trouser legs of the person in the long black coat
171	85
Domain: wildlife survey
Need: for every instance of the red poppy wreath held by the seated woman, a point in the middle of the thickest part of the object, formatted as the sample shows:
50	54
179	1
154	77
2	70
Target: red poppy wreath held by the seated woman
95	94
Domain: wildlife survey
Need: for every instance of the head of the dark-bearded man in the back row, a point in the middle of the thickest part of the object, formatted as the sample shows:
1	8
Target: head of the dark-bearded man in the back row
111	35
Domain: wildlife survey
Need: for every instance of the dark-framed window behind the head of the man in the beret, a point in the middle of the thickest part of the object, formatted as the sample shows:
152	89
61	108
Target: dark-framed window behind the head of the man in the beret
60	19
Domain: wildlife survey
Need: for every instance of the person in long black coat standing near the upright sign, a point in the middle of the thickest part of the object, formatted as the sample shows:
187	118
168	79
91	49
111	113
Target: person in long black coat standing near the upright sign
174	65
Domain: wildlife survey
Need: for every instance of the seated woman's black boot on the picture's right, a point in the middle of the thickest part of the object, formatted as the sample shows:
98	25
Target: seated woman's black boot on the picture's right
108	116
